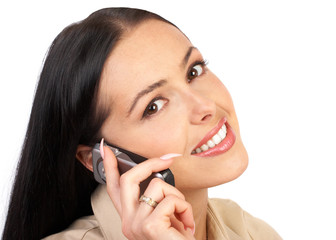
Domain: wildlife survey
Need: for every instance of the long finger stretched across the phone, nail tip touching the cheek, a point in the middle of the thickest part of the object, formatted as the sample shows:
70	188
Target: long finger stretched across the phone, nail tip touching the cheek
129	183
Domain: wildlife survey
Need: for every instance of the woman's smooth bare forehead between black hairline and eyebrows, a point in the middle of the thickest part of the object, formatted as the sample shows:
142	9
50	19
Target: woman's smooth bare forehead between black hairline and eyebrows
145	54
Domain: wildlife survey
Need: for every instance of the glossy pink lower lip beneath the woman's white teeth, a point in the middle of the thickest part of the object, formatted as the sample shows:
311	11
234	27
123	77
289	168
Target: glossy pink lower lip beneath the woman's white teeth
222	147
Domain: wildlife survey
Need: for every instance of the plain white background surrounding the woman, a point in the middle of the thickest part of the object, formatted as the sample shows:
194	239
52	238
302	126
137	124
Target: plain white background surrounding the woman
277	58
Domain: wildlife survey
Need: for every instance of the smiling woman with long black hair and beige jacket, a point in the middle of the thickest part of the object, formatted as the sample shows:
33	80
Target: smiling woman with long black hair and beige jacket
134	79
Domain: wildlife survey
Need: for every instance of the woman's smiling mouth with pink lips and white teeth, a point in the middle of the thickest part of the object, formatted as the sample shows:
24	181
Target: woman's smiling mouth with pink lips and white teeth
219	140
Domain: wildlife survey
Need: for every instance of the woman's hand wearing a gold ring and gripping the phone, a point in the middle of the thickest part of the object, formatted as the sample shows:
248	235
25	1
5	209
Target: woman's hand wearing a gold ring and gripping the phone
172	218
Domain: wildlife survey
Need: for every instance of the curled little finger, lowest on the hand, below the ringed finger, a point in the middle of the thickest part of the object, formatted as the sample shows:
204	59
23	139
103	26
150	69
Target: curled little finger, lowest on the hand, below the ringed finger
172	205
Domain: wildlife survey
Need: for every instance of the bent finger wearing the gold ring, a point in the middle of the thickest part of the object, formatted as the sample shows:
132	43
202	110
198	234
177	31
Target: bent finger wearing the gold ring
157	190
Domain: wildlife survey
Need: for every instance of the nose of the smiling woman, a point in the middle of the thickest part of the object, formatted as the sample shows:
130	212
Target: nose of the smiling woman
202	109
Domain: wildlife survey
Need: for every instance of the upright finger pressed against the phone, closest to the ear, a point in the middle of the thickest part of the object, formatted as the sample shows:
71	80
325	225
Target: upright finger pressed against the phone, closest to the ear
112	177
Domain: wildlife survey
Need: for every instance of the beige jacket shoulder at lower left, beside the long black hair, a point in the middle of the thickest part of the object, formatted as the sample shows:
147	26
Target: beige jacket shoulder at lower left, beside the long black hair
85	228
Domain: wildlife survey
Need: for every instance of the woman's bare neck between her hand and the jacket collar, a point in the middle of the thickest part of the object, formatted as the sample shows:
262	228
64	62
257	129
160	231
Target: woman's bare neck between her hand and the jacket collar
199	202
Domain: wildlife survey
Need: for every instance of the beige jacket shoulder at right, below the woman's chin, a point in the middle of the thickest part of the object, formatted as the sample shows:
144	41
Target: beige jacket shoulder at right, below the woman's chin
228	214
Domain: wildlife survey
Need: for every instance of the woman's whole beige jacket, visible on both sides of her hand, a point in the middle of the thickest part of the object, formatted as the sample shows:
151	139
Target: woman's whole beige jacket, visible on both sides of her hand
225	220
